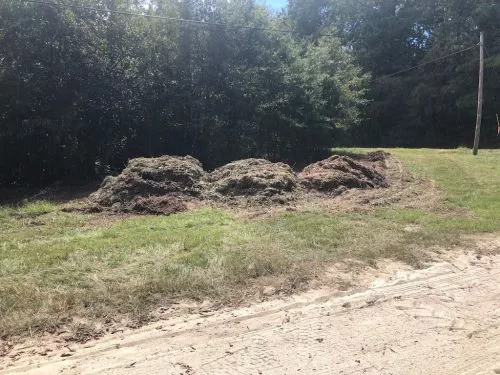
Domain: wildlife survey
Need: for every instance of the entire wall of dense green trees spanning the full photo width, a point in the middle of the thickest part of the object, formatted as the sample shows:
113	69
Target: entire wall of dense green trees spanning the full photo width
83	91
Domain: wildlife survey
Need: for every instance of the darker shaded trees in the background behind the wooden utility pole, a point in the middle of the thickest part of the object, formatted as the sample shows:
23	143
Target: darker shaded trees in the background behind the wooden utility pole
436	104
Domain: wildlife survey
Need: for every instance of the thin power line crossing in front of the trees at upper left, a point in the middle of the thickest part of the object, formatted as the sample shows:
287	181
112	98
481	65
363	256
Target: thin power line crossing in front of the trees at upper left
164	18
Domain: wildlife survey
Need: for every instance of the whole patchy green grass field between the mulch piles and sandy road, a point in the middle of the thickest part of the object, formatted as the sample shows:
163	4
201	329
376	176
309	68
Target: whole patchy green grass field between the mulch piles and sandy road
59	268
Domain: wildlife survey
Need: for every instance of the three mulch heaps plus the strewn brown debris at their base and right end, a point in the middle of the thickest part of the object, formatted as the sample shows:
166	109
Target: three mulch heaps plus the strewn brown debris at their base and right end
341	183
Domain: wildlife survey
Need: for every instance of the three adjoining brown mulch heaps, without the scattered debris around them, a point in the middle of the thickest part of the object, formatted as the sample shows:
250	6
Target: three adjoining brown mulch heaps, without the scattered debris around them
165	185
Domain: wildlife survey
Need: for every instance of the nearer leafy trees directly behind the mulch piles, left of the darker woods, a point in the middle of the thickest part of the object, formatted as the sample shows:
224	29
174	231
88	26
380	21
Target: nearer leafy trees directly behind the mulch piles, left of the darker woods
85	91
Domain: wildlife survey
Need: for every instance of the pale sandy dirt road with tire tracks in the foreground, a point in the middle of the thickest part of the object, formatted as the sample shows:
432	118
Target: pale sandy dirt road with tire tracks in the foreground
443	320
